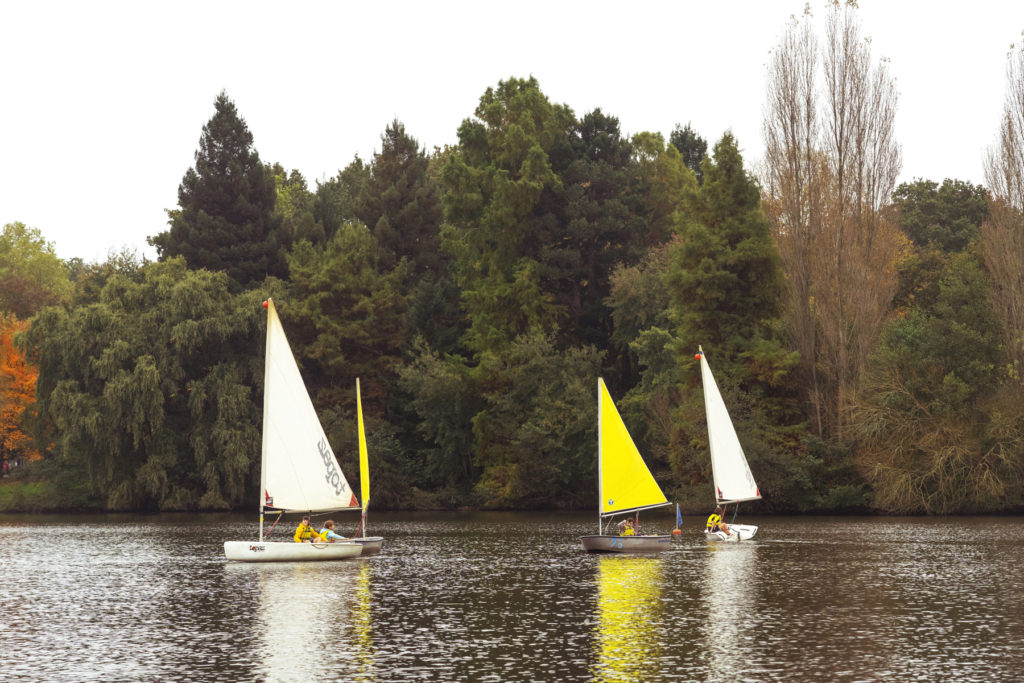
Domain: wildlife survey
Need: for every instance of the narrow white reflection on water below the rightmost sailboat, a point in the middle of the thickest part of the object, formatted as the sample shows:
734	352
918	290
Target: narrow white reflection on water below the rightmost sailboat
729	593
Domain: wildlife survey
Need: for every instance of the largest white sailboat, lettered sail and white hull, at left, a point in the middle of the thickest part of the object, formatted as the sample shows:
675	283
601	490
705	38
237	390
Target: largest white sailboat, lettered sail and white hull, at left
298	471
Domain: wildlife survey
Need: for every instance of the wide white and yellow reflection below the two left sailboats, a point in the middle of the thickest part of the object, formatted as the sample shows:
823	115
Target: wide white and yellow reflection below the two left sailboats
313	620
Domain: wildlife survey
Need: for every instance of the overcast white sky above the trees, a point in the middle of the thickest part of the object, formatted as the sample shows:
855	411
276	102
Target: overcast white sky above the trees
104	103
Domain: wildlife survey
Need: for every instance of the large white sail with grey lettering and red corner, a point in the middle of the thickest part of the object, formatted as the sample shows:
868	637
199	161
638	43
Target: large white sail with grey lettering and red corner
300	471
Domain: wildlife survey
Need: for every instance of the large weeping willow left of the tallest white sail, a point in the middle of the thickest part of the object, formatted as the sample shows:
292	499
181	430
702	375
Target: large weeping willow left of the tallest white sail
153	390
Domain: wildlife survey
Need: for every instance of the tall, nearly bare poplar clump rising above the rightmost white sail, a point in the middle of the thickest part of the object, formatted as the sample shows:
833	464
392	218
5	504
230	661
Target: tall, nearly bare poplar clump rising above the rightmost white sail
832	162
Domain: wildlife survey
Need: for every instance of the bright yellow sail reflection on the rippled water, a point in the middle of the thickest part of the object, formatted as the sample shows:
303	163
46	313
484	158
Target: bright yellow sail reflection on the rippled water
629	606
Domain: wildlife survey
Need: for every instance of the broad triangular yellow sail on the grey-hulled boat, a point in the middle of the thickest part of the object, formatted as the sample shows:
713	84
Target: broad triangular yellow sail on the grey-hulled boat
626	484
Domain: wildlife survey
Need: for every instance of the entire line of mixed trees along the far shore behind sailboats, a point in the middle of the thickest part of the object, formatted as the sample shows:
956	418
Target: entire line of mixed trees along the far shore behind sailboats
867	336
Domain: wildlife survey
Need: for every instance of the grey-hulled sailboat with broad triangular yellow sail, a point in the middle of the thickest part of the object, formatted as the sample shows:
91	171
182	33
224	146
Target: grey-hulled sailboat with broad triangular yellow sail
624	484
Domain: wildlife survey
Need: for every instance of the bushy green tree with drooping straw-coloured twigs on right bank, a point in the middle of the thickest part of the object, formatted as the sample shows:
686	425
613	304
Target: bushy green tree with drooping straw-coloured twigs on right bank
934	431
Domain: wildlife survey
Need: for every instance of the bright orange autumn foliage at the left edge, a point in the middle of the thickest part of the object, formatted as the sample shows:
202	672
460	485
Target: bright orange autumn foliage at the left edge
18	392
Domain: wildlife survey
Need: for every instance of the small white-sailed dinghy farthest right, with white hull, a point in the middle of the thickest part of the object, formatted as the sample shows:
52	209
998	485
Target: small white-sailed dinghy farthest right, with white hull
734	481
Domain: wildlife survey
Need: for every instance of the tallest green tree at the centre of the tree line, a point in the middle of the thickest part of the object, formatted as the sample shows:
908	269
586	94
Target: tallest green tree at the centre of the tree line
503	211
